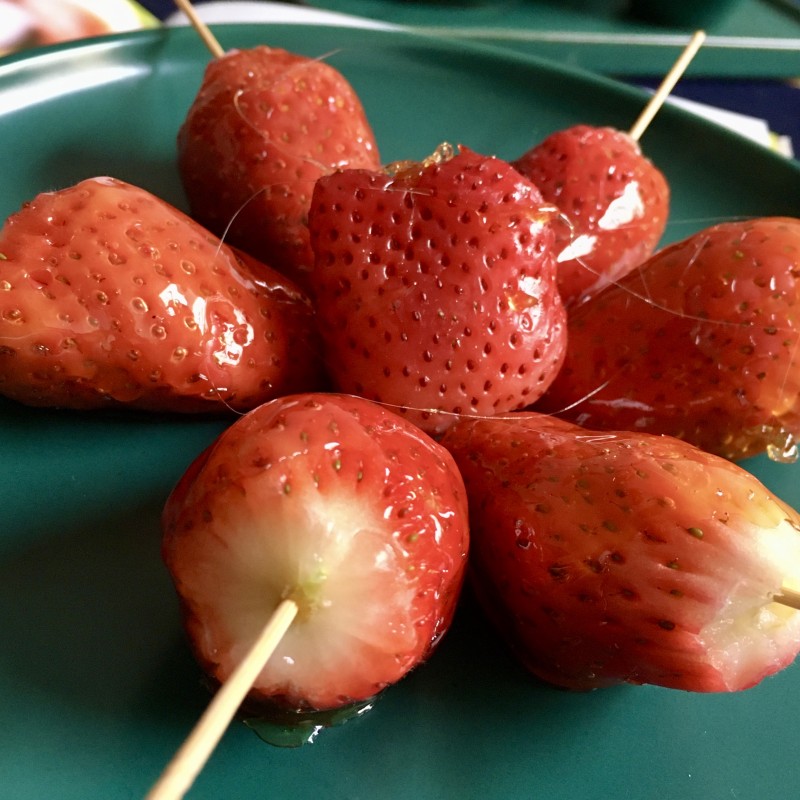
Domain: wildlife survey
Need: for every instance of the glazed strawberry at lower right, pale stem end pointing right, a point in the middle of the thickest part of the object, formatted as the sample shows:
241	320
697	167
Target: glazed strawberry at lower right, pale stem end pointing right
626	557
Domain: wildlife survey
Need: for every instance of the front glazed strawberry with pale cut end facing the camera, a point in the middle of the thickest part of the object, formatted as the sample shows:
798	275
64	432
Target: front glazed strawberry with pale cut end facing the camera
345	508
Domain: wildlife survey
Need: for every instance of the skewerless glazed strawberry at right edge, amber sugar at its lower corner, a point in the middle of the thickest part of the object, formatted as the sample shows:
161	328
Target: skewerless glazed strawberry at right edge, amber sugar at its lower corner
700	343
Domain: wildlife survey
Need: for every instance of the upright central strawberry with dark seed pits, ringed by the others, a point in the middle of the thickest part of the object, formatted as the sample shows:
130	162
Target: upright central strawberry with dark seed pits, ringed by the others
435	285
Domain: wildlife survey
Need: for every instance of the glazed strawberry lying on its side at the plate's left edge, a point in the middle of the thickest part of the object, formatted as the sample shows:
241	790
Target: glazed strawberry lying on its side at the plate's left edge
110	296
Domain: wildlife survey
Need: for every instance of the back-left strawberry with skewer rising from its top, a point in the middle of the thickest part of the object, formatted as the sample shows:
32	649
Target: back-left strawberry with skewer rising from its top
263	127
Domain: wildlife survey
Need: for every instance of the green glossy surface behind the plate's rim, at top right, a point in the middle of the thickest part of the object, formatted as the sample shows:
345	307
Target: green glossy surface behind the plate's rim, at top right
747	38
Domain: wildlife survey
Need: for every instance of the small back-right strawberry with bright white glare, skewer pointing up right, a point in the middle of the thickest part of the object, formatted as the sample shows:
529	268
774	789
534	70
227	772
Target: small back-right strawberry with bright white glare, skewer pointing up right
615	204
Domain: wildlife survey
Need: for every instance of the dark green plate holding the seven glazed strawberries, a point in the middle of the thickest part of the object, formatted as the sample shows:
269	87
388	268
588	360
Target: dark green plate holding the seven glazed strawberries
97	688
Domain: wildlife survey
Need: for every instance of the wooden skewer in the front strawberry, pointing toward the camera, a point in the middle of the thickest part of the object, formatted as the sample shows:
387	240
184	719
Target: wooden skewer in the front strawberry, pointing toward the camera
189	760
